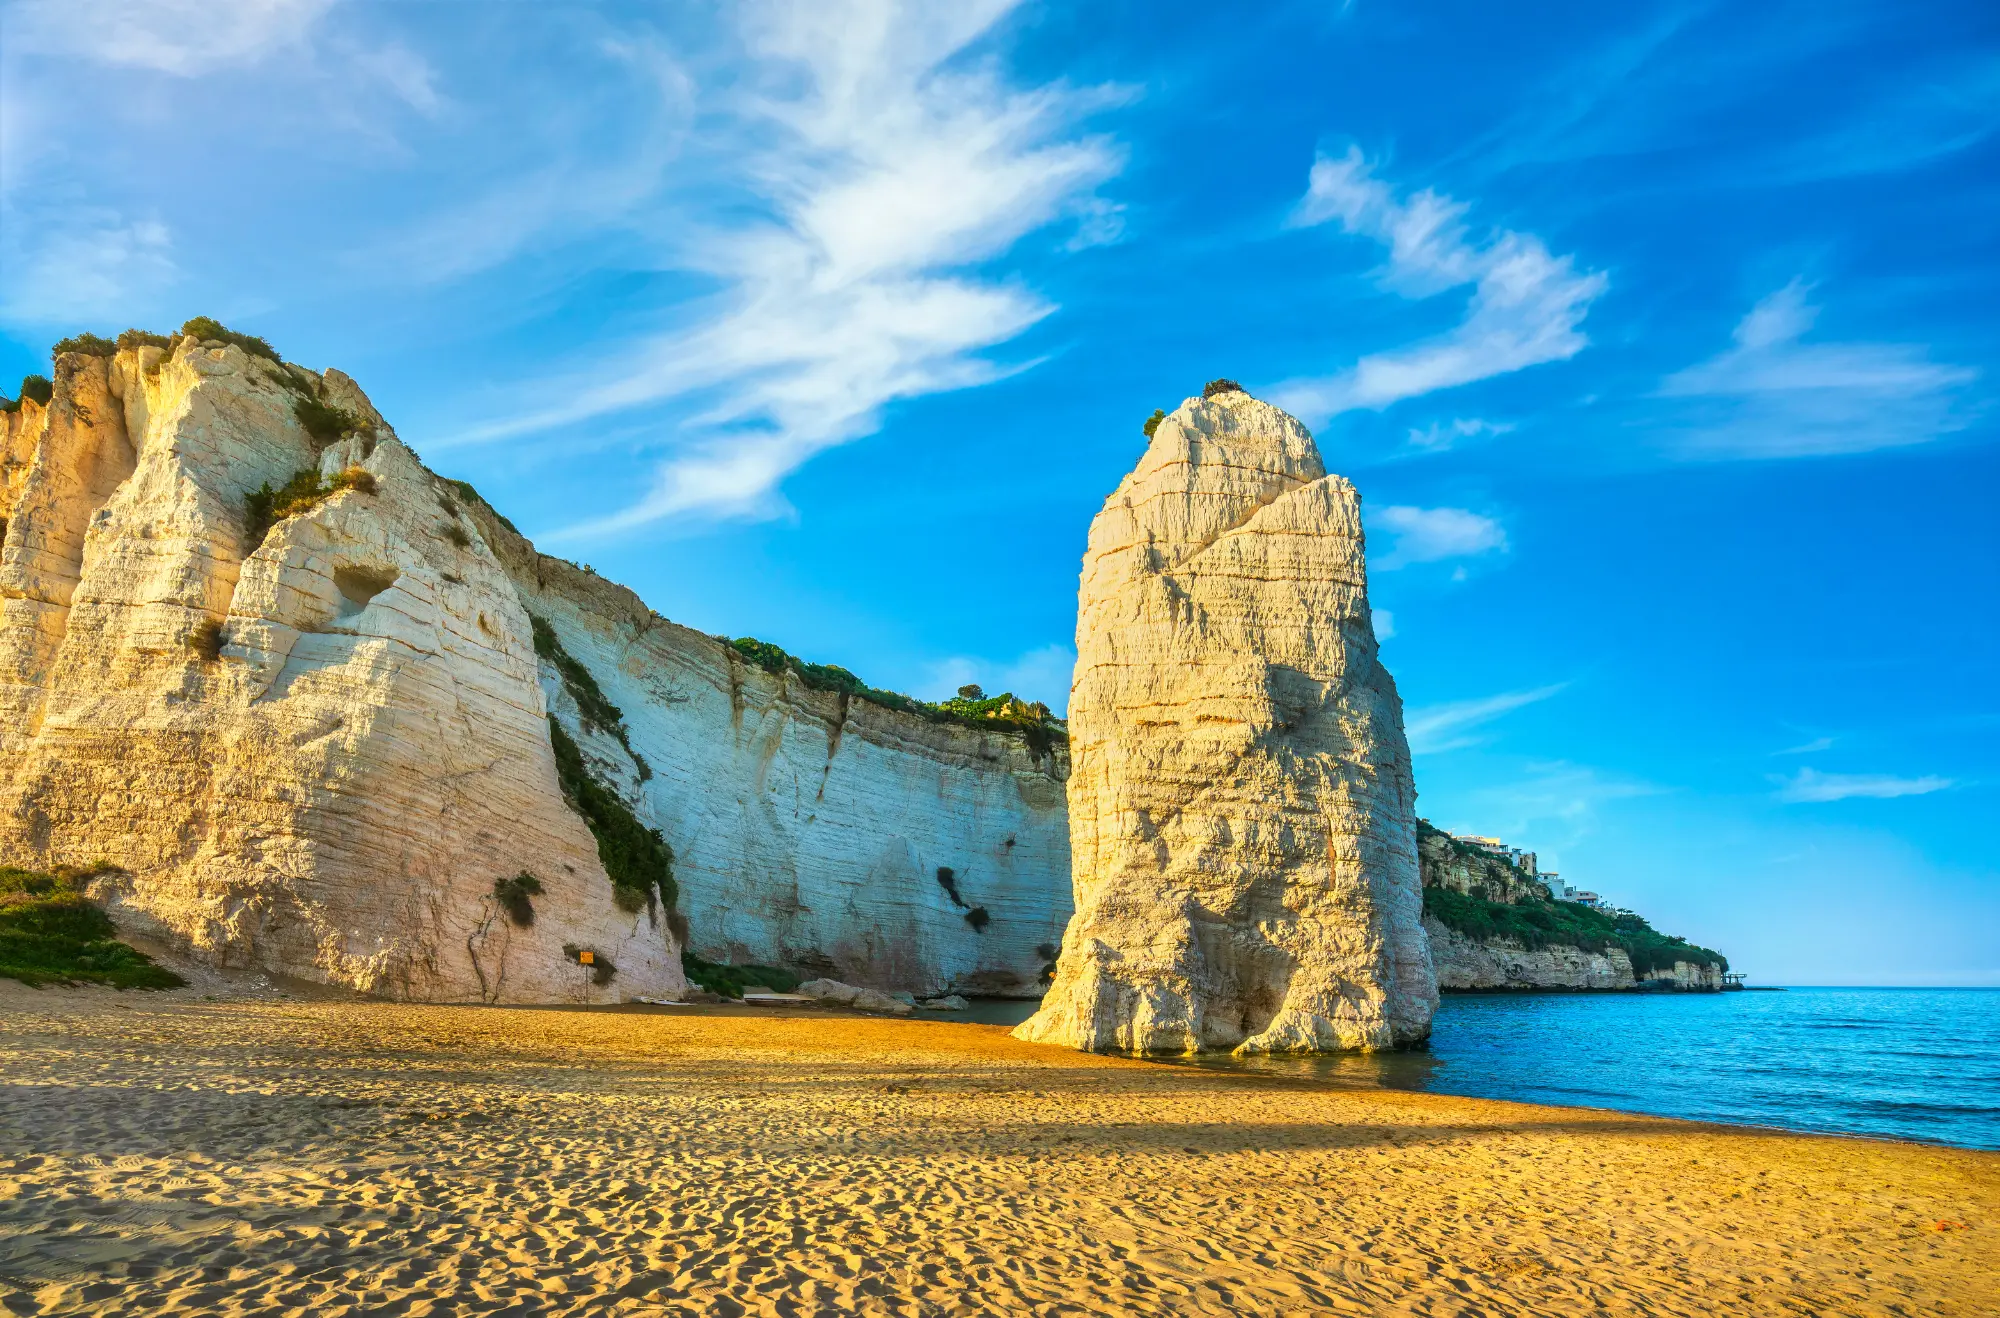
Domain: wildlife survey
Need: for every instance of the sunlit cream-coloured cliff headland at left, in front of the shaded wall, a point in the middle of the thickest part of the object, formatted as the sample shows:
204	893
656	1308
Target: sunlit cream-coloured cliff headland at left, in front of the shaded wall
311	751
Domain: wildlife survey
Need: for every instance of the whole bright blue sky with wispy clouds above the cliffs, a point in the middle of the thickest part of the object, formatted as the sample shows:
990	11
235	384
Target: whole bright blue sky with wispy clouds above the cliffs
1659	339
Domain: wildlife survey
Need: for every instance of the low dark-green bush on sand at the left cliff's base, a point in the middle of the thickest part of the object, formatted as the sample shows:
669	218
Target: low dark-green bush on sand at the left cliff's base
53	935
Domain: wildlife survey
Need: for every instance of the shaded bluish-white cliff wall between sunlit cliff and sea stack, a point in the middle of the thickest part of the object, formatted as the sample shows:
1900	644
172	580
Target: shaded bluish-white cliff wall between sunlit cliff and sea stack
809	827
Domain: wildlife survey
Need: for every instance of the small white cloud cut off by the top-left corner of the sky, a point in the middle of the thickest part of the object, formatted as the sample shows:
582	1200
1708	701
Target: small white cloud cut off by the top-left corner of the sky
171	37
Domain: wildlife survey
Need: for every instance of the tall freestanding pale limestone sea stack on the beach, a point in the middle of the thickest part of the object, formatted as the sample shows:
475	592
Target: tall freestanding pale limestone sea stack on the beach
1243	819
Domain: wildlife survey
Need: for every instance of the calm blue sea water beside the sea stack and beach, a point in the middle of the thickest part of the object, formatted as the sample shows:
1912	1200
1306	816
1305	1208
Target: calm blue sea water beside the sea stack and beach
1907	1063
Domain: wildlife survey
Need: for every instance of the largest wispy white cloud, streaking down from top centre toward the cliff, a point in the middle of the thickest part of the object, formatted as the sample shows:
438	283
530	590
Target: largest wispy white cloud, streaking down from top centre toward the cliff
885	165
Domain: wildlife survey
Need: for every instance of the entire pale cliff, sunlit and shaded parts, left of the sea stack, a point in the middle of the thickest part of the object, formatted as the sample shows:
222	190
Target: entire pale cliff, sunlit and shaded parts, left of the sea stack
317	751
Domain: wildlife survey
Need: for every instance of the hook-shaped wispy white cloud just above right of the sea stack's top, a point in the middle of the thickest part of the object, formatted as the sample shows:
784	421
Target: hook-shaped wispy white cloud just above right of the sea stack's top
1527	305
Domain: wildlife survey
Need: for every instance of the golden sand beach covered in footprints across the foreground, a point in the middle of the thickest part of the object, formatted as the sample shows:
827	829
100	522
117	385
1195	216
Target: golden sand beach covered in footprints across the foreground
269	1157
